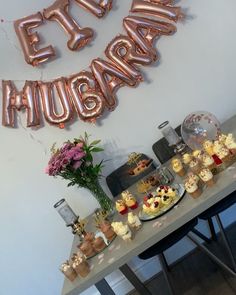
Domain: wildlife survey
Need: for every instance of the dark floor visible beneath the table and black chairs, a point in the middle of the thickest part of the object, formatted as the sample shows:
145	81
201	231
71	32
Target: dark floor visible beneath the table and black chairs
197	275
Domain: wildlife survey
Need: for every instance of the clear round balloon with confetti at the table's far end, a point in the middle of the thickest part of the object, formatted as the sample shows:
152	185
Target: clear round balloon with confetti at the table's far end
198	127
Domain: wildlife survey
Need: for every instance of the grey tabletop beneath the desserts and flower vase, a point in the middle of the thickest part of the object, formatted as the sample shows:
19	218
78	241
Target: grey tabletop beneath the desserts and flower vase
120	252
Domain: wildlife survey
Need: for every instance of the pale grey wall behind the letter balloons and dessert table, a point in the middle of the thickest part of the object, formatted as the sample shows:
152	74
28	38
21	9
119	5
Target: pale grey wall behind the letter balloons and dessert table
196	72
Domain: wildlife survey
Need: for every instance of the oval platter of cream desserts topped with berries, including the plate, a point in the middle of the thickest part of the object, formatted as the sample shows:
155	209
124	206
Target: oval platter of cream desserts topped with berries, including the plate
160	201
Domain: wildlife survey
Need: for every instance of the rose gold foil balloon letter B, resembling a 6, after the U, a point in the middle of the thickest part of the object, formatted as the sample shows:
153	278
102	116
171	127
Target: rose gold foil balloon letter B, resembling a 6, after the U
86	96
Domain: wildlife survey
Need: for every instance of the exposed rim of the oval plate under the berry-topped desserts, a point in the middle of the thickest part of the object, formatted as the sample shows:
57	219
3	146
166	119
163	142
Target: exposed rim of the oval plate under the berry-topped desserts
180	194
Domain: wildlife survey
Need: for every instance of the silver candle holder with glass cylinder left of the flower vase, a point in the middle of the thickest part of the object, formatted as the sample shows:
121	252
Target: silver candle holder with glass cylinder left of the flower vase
70	218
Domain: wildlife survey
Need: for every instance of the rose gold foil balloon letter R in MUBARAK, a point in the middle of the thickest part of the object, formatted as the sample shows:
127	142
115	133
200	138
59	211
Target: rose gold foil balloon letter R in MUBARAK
123	51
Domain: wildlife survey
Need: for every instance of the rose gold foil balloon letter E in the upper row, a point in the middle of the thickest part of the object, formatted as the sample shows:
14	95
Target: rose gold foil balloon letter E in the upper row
29	40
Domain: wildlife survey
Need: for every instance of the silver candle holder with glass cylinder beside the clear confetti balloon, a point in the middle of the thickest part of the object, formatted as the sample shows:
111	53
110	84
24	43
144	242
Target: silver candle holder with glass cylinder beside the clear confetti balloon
172	137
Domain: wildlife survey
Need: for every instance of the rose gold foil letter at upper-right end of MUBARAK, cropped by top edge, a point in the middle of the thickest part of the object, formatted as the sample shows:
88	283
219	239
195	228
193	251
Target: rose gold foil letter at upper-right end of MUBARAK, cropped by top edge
157	9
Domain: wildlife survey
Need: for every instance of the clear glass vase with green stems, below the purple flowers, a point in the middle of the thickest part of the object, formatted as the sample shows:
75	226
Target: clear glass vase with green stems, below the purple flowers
102	198
